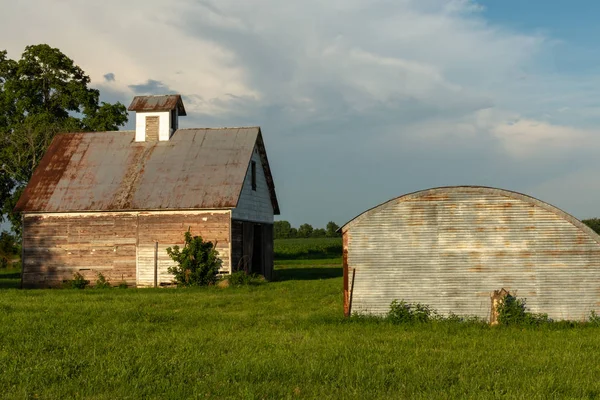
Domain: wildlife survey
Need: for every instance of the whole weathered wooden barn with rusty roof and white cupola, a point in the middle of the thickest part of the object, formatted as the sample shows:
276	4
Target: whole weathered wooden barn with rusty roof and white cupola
112	202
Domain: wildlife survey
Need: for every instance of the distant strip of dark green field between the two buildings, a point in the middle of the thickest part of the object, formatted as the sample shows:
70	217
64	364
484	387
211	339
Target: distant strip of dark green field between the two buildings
307	249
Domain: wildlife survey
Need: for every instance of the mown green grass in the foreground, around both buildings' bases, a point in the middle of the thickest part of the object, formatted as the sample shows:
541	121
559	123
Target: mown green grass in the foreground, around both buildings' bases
282	339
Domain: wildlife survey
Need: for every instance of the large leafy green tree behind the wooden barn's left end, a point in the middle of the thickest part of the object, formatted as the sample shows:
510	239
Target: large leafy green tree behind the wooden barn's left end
42	94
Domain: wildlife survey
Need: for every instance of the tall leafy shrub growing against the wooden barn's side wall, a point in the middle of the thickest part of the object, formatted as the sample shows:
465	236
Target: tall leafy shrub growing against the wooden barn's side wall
197	263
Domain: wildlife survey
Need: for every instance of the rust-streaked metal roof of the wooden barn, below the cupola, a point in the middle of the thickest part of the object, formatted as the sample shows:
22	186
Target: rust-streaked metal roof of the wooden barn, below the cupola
109	171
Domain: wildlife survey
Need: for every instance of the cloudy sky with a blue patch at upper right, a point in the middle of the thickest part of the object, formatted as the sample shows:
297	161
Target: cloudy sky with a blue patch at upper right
360	101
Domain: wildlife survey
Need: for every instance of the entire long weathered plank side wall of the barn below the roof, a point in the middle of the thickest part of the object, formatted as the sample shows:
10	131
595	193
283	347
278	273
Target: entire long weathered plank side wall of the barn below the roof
55	246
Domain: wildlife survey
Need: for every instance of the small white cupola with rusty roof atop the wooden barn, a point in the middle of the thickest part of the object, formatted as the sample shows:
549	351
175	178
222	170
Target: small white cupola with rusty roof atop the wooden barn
156	117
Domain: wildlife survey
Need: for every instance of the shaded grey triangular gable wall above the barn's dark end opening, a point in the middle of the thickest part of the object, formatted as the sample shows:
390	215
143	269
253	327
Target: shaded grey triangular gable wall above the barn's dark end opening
255	205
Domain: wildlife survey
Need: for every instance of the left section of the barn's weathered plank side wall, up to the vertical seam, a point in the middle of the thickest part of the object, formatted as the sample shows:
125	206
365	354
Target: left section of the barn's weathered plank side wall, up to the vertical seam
55	247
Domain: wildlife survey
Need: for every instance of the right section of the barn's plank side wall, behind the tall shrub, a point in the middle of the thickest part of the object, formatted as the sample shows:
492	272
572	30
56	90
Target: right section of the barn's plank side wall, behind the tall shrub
168	231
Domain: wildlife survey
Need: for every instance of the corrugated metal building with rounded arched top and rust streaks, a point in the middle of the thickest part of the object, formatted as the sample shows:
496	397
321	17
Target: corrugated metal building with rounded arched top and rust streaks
451	247
